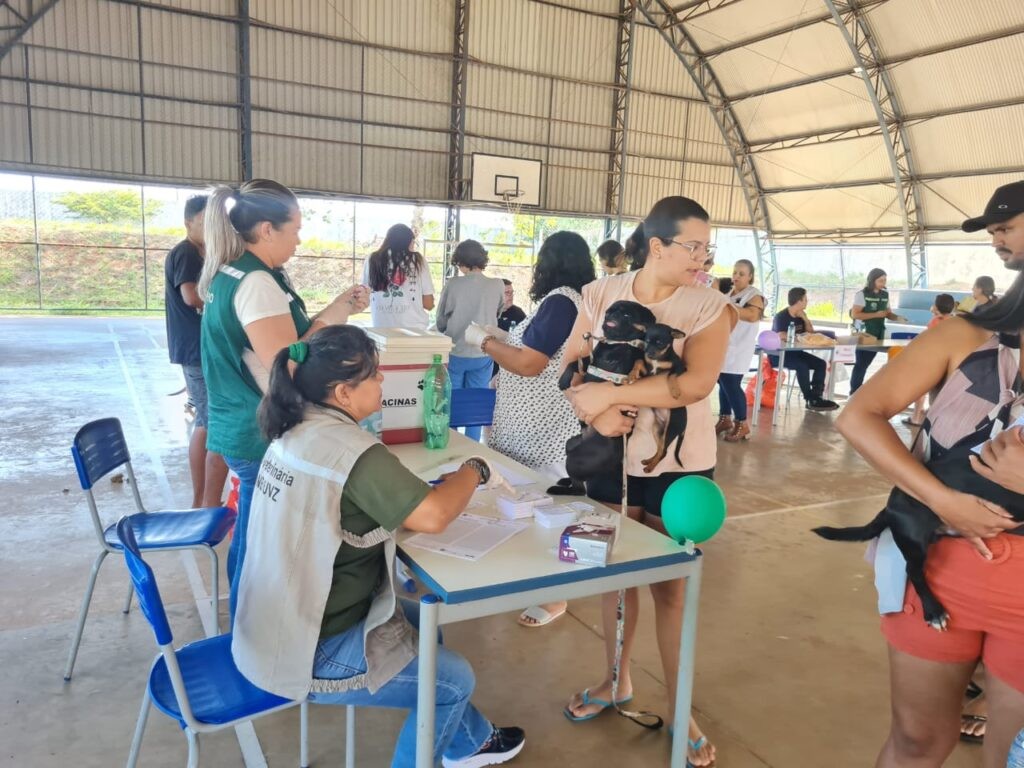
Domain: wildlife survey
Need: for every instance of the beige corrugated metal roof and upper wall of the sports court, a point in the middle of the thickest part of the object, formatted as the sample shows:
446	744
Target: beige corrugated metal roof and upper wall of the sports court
354	97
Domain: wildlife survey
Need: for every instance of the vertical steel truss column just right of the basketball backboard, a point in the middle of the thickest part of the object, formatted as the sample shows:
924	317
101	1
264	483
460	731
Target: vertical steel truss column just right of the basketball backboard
620	120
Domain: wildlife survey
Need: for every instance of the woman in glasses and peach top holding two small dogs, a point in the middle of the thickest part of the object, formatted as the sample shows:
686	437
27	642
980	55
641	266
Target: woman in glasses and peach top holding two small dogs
673	244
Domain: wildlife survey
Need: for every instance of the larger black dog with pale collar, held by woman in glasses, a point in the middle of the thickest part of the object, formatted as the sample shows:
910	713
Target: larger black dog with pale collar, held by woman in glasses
618	358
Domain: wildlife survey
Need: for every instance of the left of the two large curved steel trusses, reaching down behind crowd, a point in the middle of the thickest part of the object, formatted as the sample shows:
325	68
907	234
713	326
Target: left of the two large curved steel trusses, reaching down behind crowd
673	29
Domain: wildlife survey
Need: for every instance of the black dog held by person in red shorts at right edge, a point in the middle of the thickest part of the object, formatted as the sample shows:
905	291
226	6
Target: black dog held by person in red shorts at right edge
916	528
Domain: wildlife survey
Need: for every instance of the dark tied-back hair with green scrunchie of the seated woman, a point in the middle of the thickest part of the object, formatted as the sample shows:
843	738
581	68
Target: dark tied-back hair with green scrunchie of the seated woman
337	355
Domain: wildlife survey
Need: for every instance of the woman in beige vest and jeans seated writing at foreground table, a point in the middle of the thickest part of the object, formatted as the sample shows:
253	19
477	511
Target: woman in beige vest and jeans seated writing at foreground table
318	616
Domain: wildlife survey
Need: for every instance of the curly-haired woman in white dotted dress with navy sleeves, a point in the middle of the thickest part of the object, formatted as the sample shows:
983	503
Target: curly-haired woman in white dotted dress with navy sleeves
531	362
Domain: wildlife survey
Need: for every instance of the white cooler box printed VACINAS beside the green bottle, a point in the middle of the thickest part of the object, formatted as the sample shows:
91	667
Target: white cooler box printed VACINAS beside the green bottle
405	357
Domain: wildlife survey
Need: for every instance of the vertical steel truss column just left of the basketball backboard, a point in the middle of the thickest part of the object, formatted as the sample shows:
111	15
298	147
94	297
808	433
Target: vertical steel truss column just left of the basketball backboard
457	129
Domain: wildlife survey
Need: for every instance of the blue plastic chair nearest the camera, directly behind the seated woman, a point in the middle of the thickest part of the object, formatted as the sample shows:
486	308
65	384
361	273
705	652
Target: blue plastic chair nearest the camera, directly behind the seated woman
198	685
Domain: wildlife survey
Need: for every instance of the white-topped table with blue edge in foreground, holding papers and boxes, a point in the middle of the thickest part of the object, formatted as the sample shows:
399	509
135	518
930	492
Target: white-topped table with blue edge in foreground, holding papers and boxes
526	571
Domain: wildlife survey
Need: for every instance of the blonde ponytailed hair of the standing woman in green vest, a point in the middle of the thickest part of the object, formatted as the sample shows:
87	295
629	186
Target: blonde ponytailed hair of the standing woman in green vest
232	216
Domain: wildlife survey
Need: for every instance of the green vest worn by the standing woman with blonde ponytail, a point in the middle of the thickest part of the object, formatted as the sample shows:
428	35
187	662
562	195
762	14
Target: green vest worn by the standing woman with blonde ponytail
233	393
